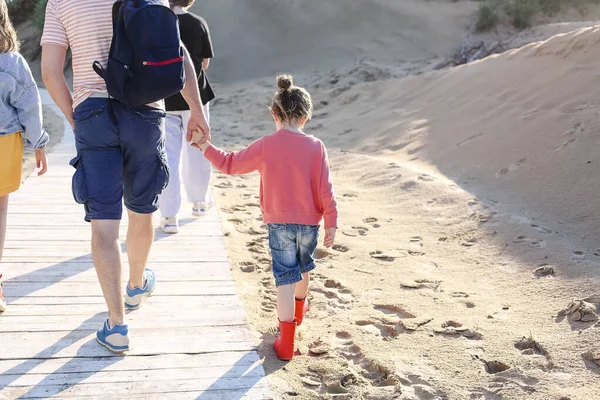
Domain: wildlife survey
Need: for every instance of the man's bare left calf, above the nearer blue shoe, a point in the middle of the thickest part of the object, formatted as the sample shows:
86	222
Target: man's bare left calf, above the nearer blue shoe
106	253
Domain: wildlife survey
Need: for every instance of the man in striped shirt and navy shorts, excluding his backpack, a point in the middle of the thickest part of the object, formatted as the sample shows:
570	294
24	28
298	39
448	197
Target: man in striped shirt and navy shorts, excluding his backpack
120	153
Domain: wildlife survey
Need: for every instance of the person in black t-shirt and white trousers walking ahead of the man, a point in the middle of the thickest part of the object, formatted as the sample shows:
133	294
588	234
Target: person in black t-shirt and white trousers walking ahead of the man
195	169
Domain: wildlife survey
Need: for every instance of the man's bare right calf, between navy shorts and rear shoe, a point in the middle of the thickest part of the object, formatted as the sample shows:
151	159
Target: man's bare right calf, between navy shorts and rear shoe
140	236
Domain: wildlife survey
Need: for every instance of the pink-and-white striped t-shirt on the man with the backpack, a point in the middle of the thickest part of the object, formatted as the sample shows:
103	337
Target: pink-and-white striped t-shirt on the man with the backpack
84	26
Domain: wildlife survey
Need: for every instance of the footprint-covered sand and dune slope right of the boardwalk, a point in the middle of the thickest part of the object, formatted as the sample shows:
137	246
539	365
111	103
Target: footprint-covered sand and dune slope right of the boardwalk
467	260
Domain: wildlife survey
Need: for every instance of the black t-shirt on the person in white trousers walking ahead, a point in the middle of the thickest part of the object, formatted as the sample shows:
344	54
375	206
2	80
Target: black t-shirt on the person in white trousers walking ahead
196	38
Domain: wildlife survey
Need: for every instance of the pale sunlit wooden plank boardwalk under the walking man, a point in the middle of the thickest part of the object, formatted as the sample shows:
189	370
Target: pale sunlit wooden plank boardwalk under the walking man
190	340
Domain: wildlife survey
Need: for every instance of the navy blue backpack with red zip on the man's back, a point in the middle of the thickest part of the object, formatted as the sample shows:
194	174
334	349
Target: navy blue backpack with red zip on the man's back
145	62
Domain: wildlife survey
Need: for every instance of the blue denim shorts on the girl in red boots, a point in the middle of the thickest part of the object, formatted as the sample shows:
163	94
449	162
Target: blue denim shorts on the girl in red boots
292	247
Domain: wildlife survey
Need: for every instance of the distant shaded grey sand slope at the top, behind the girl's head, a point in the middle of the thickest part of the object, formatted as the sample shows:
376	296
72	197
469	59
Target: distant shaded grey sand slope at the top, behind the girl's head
262	37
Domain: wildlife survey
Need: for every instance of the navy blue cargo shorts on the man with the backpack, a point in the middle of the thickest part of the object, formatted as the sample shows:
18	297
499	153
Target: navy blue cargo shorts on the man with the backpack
120	156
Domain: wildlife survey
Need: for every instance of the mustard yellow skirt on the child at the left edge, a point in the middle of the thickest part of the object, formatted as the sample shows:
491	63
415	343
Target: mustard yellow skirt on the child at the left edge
11	159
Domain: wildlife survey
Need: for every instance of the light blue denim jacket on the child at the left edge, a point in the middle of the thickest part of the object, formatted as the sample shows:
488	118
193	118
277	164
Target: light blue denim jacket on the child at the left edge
20	104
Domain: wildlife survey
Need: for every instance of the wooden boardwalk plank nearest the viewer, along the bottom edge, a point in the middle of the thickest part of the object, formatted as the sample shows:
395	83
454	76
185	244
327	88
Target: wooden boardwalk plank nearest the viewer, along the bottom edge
202	389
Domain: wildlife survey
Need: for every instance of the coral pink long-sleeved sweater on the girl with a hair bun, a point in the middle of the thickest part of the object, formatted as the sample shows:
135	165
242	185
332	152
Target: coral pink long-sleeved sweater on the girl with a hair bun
295	181
